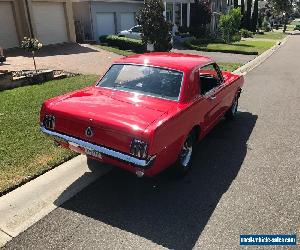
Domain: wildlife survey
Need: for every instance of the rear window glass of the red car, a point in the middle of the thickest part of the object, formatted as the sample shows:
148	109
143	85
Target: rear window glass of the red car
160	82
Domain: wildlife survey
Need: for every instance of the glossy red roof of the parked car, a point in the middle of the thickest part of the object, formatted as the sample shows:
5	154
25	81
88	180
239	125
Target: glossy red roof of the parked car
176	61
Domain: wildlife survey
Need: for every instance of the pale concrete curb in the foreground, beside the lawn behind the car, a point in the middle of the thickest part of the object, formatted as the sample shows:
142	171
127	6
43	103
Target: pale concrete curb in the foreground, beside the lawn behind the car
29	203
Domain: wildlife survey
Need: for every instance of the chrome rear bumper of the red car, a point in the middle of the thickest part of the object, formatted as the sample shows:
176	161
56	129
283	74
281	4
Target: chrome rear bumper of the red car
100	149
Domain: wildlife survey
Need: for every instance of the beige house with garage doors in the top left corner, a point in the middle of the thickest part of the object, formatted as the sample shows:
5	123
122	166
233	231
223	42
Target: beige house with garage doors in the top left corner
50	21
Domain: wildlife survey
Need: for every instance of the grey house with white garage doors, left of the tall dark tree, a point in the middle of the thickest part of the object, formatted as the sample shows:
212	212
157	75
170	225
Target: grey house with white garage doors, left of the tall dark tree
103	17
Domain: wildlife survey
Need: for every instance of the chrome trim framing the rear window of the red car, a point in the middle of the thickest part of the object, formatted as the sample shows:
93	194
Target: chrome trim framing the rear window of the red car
136	64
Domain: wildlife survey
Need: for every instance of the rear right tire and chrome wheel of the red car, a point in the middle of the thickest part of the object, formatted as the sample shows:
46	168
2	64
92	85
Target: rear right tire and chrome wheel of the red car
184	162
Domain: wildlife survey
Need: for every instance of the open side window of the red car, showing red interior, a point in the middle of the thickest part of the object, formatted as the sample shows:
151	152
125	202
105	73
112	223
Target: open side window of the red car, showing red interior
209	77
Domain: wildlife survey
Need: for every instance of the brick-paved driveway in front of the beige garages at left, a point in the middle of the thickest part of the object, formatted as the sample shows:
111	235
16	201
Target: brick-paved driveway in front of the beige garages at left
69	57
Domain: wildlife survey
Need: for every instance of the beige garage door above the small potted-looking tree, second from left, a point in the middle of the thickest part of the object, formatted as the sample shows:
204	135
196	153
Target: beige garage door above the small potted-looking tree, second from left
50	22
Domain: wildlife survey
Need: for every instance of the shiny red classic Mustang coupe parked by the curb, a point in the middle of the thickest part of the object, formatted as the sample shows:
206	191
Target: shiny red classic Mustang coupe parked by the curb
146	113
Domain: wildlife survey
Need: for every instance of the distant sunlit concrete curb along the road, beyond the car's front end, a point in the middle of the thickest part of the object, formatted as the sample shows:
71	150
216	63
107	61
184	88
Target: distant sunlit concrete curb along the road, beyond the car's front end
261	58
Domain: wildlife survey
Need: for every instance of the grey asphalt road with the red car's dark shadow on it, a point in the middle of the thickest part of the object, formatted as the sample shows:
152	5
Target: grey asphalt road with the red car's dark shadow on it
245	180
